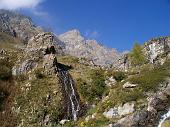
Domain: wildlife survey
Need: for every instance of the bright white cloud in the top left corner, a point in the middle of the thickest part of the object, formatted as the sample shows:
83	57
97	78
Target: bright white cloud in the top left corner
19	4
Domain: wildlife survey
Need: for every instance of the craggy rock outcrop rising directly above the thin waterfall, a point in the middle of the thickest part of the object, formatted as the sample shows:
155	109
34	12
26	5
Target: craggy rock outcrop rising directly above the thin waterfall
42	46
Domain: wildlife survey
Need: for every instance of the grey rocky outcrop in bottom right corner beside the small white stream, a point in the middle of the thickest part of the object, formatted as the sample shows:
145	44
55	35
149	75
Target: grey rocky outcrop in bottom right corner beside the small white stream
157	105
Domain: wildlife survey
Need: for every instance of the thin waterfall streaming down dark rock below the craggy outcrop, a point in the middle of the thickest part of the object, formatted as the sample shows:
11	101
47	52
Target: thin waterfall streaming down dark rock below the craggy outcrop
70	93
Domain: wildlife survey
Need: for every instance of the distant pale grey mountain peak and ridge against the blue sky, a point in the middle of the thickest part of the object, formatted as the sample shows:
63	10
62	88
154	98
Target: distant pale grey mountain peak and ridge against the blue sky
78	46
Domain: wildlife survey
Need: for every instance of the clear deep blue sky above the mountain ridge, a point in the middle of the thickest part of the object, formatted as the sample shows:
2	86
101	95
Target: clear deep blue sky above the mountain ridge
114	23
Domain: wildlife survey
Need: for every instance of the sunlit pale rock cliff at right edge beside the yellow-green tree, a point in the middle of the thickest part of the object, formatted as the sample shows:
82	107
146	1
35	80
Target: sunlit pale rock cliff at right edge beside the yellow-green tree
158	49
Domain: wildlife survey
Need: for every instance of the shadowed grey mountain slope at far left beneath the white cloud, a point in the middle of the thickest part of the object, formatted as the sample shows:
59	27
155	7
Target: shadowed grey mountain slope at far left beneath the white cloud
17	25
